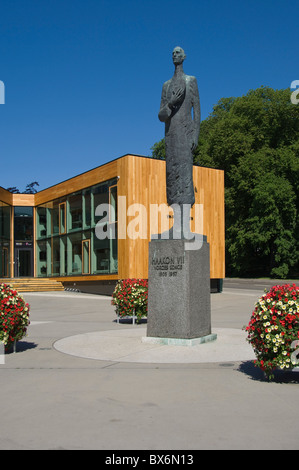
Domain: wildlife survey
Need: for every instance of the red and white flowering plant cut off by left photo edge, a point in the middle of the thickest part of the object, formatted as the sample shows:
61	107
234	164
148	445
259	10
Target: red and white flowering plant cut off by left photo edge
14	316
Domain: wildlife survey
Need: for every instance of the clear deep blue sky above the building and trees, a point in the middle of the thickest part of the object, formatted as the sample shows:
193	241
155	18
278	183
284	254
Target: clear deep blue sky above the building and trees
83	78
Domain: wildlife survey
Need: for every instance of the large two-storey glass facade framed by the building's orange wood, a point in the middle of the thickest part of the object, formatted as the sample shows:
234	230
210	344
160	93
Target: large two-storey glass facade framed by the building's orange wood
66	241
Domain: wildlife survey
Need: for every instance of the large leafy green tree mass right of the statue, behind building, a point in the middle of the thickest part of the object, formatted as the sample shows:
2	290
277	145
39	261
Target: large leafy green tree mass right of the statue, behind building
255	140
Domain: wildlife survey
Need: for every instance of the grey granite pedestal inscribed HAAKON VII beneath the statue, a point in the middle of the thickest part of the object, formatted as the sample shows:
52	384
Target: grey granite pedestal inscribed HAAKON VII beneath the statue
179	293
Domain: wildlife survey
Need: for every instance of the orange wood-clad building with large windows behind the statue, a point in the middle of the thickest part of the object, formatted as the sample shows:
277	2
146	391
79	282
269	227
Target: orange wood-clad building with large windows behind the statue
54	233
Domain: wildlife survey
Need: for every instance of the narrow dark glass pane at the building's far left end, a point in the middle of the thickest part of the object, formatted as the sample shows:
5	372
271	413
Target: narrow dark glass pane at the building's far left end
5	262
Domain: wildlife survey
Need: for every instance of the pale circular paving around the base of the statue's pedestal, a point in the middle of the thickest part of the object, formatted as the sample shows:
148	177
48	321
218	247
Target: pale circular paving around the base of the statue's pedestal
126	345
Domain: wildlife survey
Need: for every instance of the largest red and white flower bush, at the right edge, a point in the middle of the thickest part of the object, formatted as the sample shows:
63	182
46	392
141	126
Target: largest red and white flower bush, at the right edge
273	330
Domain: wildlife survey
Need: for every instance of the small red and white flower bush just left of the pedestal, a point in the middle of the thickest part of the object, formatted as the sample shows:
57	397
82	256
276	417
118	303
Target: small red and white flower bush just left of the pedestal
130	298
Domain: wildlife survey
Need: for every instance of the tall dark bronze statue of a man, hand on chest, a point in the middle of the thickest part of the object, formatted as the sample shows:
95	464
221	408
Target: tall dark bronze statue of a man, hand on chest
179	97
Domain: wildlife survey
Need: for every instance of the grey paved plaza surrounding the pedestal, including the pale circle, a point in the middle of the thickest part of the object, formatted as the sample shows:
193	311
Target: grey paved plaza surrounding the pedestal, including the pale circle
80	380
